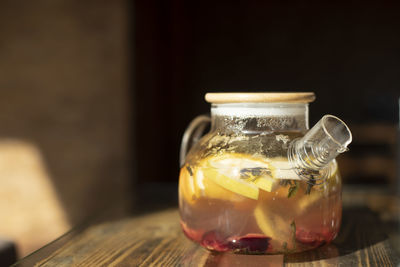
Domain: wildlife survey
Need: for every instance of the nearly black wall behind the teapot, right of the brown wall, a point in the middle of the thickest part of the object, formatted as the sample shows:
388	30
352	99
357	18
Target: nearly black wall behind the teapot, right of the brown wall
348	53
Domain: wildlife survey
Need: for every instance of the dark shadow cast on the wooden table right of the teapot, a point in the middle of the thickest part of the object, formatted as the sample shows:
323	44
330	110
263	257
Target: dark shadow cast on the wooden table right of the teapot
361	230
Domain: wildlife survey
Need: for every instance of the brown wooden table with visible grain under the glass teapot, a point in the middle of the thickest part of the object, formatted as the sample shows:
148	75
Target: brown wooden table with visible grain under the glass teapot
369	237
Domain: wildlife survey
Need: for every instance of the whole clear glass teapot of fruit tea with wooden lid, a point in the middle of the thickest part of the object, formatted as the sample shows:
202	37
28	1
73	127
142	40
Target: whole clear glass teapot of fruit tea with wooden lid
261	182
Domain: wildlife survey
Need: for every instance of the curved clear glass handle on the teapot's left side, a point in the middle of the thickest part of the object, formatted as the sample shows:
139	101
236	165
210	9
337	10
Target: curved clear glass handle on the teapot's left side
192	135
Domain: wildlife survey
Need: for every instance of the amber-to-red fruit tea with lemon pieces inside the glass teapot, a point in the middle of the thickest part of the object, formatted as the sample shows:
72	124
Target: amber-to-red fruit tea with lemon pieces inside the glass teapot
233	202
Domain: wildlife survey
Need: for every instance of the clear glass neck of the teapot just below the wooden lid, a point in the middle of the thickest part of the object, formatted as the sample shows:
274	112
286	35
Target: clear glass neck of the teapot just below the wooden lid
256	118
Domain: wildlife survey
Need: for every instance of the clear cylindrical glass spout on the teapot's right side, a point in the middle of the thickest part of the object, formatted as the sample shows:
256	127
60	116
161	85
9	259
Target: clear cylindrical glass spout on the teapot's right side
313	152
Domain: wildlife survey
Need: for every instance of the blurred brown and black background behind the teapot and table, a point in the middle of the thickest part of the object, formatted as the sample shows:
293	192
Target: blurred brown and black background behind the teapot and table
95	95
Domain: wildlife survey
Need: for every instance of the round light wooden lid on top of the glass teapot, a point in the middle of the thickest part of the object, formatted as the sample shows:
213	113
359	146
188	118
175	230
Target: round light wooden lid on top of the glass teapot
294	97
